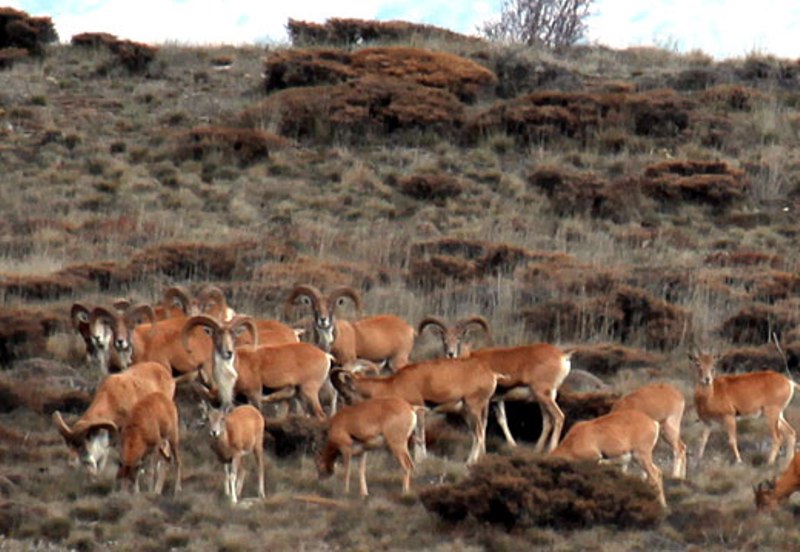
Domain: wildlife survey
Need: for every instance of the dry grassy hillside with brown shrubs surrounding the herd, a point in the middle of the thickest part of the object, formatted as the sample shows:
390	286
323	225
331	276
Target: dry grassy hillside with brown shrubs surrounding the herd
628	203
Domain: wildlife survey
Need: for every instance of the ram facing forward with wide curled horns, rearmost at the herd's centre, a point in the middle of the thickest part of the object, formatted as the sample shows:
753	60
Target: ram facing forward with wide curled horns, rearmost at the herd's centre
380	339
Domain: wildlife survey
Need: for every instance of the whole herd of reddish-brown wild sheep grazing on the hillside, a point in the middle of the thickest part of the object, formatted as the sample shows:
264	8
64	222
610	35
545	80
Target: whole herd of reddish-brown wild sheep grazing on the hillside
202	341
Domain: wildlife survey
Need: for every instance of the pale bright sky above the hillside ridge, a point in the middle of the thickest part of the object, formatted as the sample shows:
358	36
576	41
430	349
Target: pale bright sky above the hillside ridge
721	28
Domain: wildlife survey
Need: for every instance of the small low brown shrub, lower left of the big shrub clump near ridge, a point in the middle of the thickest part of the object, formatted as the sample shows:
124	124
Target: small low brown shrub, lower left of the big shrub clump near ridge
243	145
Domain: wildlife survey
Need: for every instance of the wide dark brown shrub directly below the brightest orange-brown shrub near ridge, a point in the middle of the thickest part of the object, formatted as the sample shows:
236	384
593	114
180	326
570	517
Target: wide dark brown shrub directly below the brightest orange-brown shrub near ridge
357	110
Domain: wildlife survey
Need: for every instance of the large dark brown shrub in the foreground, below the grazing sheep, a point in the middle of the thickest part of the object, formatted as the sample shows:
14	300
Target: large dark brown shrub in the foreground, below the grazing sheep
524	490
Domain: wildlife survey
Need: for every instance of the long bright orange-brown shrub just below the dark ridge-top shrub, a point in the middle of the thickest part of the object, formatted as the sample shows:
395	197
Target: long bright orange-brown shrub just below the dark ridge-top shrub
460	76
